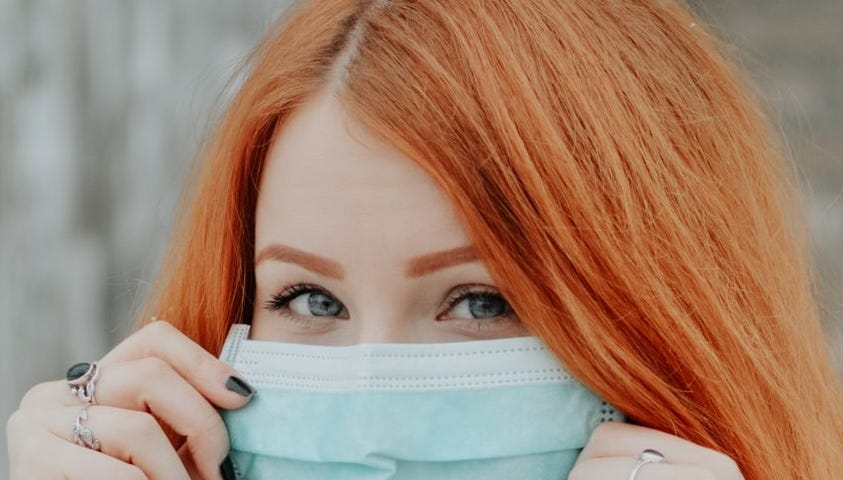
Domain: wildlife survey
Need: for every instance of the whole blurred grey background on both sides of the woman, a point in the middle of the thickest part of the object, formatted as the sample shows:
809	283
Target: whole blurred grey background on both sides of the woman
102	103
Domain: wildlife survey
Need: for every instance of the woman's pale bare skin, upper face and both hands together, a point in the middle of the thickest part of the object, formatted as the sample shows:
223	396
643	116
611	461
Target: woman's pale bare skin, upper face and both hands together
334	191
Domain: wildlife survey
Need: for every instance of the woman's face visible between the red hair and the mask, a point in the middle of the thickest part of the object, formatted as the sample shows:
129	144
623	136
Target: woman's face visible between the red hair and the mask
356	244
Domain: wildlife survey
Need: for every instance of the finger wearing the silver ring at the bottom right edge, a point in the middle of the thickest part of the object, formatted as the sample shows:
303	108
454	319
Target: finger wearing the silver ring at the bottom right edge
620	467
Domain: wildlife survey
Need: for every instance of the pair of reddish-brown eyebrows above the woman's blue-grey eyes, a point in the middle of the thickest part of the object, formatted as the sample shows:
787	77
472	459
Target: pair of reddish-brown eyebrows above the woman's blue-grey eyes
415	267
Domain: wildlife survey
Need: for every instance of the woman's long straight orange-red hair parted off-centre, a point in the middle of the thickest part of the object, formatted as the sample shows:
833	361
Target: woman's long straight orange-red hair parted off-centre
614	171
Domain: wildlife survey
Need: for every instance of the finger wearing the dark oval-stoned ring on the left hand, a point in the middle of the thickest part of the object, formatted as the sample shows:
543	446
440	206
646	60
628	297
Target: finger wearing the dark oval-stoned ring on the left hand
151	385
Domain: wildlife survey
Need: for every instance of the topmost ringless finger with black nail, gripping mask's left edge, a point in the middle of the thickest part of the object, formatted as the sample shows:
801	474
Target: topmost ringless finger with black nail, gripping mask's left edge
206	373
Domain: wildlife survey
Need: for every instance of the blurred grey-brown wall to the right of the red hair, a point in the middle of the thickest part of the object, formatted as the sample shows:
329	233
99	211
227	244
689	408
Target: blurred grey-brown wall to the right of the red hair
794	50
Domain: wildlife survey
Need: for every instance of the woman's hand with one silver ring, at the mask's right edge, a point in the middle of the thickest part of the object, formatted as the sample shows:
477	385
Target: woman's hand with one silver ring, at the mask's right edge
613	447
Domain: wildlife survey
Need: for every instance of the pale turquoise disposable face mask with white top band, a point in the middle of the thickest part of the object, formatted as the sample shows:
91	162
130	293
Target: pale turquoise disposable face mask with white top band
486	409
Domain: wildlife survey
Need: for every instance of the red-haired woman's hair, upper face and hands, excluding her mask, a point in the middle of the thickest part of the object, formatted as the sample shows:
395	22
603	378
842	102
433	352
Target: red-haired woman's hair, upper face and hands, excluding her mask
594	174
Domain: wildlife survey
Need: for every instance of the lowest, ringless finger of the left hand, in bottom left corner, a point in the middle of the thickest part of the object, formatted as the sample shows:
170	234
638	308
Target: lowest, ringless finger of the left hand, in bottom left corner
49	456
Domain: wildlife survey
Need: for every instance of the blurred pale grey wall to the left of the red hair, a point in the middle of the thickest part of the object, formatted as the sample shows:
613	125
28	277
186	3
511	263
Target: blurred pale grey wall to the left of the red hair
101	105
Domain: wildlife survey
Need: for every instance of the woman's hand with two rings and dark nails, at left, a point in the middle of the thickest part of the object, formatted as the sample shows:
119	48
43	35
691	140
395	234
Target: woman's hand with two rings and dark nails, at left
155	374
